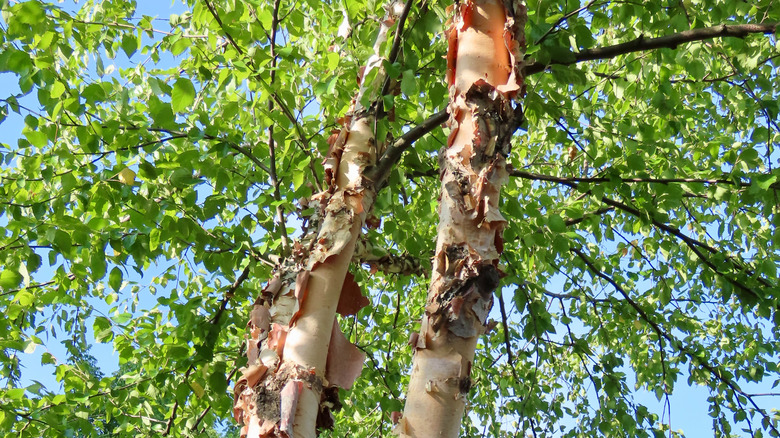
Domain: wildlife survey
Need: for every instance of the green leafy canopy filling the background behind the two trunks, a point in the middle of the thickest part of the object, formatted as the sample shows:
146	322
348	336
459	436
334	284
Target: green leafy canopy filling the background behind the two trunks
164	167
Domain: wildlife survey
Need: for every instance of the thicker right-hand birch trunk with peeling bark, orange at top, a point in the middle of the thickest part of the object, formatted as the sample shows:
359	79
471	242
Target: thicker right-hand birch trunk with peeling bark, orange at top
485	76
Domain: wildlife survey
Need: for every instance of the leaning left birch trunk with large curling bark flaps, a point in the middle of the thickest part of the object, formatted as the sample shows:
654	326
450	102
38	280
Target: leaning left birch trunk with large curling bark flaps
297	354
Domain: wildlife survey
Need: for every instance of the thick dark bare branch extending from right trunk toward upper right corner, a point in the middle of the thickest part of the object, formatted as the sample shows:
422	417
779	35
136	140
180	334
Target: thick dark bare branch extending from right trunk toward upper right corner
668	41
